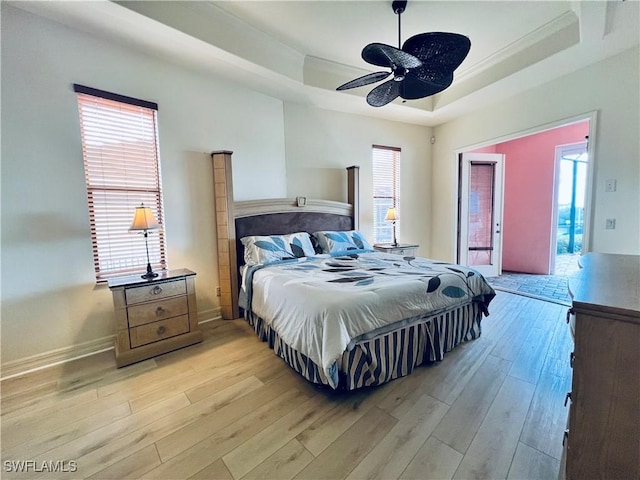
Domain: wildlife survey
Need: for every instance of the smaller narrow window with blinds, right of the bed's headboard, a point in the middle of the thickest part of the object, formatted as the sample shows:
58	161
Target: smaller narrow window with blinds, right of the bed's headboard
386	191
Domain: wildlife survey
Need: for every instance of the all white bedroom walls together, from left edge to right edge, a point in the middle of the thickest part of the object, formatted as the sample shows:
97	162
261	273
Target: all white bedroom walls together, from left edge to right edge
49	297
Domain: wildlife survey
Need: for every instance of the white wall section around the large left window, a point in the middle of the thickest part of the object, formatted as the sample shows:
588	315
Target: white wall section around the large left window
49	297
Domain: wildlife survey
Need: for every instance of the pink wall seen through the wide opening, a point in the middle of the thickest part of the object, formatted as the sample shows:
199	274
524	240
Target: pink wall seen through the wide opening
528	197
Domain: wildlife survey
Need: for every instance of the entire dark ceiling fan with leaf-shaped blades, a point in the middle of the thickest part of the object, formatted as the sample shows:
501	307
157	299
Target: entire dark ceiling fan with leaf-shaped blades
422	67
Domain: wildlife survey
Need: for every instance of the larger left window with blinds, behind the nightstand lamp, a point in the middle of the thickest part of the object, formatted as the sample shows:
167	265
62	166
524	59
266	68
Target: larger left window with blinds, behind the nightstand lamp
122	170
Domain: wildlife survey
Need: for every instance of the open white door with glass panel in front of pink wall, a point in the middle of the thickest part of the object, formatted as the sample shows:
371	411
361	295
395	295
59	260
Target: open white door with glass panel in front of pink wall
480	212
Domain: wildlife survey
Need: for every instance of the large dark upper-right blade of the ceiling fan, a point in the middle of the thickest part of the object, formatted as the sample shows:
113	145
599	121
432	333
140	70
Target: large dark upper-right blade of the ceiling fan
440	50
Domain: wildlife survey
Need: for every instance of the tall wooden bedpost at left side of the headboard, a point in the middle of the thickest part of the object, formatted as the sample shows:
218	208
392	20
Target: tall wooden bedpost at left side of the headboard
226	228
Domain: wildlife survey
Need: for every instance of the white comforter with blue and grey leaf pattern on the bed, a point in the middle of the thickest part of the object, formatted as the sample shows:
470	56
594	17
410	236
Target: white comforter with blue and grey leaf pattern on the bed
320	306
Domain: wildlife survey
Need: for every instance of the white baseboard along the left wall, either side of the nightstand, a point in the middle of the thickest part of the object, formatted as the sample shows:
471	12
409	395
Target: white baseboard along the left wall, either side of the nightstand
44	360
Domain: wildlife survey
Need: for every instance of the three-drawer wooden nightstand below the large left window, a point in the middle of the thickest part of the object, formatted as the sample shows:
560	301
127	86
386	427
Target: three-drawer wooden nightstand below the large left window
154	316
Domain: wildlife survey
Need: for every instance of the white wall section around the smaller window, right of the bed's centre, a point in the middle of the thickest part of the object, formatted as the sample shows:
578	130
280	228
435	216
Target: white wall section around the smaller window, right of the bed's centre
320	144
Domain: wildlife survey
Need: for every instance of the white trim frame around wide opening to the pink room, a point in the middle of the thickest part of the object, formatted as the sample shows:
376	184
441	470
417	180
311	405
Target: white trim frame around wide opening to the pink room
592	117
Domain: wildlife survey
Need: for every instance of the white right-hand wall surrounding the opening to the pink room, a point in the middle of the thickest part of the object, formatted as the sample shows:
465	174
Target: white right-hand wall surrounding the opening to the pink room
612	88
